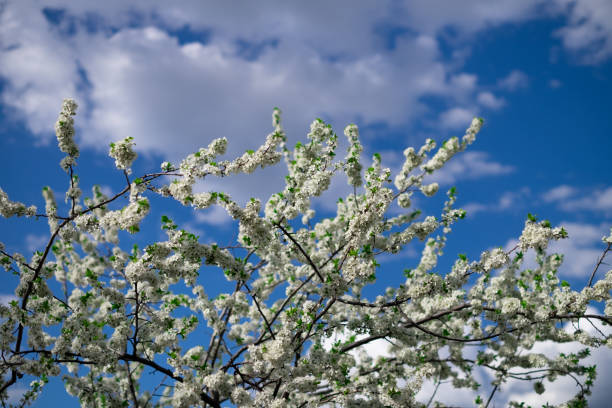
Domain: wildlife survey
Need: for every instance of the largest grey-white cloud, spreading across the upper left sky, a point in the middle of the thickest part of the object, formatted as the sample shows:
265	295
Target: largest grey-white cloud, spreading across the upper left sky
173	98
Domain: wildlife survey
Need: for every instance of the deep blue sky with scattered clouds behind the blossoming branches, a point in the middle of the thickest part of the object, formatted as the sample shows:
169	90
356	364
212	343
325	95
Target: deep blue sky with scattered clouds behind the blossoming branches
175	76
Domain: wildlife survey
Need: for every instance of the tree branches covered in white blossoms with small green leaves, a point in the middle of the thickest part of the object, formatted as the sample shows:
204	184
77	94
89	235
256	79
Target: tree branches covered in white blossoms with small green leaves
121	318
